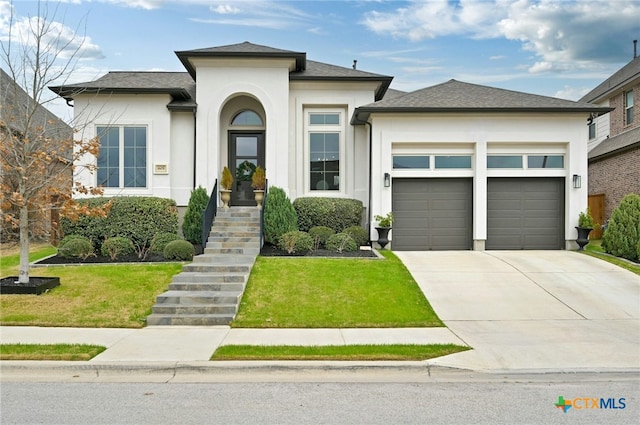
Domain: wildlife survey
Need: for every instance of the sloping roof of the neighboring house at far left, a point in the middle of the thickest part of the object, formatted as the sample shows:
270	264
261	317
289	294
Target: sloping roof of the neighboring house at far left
16	106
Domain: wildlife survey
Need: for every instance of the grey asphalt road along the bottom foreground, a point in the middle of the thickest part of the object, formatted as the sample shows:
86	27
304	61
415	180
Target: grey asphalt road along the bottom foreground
470	400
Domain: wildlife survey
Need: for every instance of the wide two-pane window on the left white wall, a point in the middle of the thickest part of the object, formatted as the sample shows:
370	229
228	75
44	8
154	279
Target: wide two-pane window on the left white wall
122	161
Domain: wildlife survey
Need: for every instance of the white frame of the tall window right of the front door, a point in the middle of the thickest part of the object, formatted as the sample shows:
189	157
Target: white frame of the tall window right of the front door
324	128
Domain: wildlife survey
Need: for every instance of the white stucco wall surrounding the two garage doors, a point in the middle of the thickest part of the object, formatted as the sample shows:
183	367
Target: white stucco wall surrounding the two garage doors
479	135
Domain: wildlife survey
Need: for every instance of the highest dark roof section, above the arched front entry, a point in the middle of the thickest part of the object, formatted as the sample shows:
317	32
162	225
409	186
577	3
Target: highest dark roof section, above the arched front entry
241	50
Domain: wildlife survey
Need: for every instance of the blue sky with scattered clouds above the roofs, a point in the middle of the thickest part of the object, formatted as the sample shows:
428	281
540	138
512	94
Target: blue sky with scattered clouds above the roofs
560	48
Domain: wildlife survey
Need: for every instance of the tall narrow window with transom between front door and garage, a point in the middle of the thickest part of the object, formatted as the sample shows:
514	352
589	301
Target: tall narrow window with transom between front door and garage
324	141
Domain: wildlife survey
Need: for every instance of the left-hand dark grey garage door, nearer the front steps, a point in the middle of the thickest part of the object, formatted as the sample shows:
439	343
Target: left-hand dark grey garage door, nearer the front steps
432	214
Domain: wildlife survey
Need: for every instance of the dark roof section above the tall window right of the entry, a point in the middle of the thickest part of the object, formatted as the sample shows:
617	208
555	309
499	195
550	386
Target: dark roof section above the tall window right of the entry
319	71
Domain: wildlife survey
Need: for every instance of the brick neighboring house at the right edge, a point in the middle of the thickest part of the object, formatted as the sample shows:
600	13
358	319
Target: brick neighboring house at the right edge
614	140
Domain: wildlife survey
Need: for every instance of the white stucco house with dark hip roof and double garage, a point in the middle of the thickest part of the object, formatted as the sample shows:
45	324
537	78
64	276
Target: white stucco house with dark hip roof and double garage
462	166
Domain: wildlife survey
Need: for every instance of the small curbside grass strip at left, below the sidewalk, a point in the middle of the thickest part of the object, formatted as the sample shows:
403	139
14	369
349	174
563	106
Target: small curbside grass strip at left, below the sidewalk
68	352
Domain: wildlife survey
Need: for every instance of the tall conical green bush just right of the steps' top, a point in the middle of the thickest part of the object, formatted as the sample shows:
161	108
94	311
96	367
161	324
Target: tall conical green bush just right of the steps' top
279	215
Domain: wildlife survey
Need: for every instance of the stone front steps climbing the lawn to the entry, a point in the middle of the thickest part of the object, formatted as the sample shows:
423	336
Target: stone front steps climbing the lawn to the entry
208	291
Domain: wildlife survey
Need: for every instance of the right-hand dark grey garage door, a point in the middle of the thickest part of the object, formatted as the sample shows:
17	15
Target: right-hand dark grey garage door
525	213
